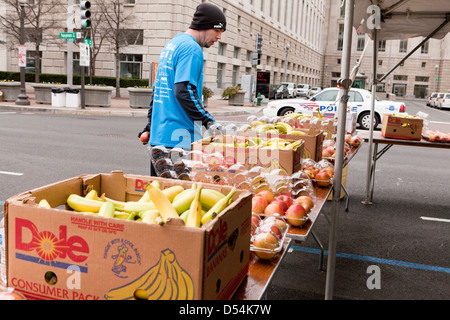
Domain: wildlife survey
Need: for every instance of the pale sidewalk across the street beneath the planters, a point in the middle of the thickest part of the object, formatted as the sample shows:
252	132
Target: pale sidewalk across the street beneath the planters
121	107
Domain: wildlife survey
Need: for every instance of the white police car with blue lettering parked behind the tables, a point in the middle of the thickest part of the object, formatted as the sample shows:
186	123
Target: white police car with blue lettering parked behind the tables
327	102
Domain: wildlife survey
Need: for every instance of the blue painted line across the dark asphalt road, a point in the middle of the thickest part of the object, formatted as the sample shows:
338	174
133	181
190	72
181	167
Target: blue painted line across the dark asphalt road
377	260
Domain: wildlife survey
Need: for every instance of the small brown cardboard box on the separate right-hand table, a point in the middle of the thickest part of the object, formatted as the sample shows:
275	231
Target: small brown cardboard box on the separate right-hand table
400	127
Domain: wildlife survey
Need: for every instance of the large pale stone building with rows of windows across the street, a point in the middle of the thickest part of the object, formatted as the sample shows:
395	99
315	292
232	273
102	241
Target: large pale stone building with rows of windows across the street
301	43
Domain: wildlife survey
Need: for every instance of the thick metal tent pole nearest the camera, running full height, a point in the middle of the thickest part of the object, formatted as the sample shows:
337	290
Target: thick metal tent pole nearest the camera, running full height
340	140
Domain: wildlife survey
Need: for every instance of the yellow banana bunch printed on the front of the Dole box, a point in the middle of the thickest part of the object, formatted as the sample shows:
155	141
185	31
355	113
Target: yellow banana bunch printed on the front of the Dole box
166	280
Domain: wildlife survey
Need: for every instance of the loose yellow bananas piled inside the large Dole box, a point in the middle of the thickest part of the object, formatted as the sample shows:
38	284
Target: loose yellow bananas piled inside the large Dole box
195	205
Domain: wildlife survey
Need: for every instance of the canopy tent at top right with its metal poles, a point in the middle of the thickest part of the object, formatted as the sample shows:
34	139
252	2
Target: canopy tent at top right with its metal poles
381	20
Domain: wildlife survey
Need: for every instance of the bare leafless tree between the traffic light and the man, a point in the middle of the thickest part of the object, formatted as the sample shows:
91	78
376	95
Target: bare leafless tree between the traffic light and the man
117	19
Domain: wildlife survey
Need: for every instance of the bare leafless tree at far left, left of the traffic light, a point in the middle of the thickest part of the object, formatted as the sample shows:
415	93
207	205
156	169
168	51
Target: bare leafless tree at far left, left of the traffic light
41	19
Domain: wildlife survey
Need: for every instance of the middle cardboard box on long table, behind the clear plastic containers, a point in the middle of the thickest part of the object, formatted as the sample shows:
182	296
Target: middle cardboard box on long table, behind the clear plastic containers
228	152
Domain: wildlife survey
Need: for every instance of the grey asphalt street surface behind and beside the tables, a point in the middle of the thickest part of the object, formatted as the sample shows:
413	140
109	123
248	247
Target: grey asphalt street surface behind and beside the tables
404	233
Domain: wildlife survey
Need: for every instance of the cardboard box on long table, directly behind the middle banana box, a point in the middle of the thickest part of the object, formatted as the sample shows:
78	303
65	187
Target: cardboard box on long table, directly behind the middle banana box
313	141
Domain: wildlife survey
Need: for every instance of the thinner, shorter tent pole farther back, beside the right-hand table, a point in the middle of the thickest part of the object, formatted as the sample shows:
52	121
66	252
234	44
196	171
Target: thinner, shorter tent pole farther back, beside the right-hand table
370	170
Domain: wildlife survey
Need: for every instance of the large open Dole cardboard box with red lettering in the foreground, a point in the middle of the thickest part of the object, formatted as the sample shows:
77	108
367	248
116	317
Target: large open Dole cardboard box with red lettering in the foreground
57	254
